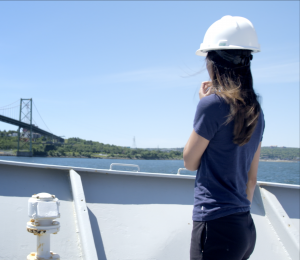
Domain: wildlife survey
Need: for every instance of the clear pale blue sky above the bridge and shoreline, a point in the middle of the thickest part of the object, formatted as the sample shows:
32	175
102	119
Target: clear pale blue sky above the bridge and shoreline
109	71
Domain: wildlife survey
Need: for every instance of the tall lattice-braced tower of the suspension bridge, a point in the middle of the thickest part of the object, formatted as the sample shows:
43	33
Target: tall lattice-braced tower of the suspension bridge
25	136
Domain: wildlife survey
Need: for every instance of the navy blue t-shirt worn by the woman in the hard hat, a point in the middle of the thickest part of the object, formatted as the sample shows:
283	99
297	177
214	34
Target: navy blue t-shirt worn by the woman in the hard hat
220	185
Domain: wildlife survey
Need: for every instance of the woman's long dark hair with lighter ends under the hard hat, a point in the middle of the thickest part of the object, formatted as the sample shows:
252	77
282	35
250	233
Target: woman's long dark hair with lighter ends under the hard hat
232	80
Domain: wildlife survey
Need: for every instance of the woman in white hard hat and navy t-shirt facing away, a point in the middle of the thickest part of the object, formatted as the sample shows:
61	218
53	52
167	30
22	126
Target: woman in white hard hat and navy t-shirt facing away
225	144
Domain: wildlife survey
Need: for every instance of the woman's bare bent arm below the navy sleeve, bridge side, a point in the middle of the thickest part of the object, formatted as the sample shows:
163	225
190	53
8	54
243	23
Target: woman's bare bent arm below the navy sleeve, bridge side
193	151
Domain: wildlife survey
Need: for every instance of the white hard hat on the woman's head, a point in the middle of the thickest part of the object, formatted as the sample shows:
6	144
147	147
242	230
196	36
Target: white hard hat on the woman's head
230	32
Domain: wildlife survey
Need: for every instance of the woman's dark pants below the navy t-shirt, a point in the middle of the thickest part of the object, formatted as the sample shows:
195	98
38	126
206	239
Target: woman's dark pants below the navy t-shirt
228	238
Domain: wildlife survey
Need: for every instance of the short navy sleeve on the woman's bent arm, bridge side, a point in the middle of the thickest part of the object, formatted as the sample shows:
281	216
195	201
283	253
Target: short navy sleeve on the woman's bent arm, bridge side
210	116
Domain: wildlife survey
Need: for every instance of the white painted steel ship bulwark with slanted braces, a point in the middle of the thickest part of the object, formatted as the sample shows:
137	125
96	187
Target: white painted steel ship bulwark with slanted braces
120	215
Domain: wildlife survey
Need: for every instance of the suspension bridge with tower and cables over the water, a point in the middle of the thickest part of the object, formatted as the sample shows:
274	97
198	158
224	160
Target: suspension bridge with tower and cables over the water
19	113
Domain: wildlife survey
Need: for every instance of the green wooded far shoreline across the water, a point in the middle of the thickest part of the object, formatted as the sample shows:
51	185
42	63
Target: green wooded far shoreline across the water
76	147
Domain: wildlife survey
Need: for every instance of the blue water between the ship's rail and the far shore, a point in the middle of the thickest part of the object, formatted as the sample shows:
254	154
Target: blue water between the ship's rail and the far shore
281	172
